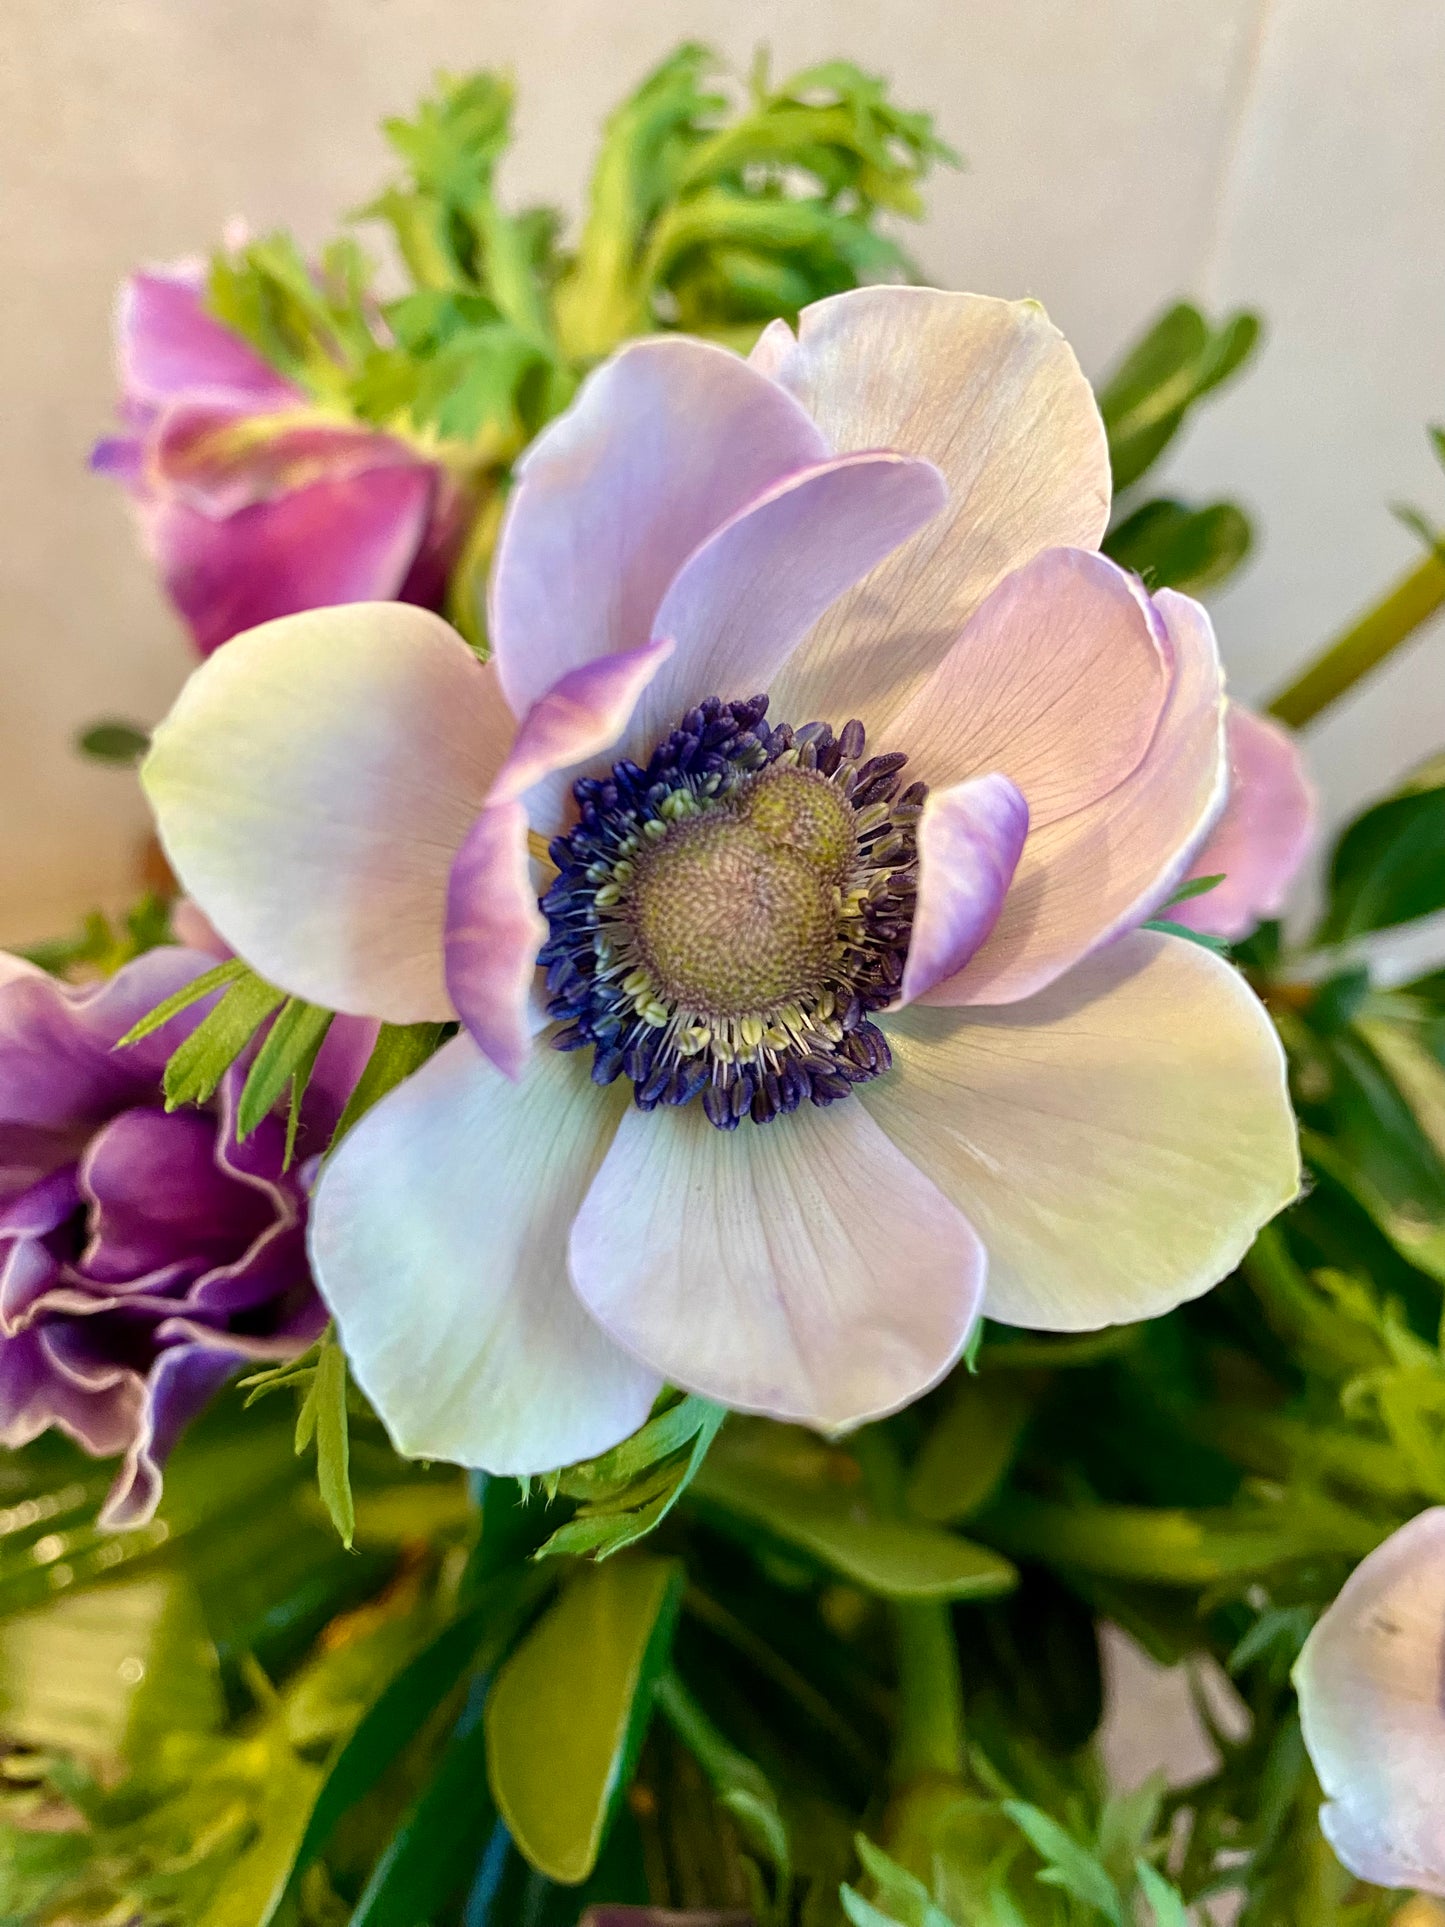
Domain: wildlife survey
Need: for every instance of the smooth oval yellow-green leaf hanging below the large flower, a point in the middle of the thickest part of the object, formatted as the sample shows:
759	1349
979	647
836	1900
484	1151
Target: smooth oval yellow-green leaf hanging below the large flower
571	1706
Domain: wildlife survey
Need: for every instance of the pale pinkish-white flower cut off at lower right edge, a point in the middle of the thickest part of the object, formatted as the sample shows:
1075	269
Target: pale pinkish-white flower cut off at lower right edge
1373	1706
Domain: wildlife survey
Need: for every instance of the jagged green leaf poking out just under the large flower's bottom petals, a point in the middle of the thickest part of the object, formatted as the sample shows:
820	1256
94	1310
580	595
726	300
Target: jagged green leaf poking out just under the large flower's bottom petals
633	1489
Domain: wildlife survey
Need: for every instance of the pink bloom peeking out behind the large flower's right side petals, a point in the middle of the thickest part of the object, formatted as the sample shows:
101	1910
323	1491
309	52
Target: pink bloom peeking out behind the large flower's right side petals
1263	837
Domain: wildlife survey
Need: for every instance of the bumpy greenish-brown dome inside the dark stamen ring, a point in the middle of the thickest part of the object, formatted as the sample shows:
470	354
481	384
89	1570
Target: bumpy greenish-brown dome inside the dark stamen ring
737	911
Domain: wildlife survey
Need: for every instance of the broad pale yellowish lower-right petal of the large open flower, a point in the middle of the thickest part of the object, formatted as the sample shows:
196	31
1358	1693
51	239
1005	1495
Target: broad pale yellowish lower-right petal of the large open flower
1117	1140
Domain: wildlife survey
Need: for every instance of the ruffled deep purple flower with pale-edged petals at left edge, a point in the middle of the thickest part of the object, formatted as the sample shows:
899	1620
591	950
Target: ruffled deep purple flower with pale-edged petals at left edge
145	1255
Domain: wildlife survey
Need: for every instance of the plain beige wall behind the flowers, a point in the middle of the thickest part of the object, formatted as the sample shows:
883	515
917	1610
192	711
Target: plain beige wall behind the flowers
1286	153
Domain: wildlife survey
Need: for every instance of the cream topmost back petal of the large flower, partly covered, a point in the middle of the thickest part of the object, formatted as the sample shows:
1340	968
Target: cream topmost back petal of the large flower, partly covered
993	396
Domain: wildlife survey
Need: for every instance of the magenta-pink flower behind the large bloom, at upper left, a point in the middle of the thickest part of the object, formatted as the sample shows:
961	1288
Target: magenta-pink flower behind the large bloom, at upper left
253	502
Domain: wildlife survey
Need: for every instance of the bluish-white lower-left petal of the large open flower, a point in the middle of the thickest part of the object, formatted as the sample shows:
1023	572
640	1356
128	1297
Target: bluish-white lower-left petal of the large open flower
438	1238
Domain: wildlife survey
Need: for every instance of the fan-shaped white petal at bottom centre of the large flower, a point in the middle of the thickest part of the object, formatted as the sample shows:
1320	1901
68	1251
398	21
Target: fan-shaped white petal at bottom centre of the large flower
799	1269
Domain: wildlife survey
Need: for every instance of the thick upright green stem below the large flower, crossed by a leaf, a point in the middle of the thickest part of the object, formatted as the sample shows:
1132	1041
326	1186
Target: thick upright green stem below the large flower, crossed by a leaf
930	1731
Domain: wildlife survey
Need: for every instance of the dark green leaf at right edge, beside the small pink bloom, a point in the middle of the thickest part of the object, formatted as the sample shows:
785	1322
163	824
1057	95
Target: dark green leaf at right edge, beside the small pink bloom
1388	868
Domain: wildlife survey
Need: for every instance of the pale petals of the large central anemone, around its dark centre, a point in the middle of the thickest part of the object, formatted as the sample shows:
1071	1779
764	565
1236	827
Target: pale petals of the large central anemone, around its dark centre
891	517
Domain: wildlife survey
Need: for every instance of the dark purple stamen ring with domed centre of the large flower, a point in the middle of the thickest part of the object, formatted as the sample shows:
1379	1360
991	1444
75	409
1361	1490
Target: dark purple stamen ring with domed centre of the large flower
727	920
